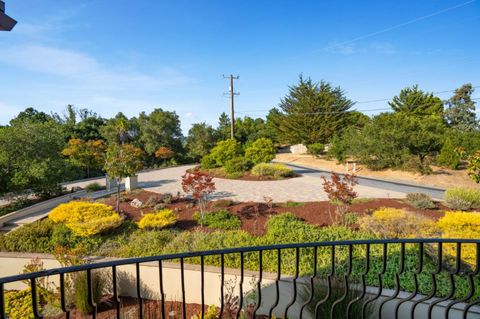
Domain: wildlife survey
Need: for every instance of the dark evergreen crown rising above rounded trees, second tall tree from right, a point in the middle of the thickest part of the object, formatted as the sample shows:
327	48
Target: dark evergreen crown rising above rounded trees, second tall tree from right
413	101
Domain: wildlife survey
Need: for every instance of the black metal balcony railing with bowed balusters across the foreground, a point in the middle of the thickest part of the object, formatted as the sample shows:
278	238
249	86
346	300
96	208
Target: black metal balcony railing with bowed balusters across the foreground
405	278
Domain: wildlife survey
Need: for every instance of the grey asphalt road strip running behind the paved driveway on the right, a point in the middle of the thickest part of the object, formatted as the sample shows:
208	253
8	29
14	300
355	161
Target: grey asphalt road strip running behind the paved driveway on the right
396	186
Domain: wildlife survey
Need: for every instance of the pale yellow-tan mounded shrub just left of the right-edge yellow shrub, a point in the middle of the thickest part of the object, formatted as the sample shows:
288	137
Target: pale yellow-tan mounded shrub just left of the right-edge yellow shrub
397	223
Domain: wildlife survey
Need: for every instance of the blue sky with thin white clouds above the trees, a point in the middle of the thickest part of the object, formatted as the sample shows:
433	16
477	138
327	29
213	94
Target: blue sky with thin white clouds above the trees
133	56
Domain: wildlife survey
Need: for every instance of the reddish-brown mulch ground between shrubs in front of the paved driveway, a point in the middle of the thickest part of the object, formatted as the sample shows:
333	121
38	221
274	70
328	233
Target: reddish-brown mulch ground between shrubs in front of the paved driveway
255	215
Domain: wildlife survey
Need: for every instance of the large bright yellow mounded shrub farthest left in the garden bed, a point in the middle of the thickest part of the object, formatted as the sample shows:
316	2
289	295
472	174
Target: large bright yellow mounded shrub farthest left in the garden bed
86	219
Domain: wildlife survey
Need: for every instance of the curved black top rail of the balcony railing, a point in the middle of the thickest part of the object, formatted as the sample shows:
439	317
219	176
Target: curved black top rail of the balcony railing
129	261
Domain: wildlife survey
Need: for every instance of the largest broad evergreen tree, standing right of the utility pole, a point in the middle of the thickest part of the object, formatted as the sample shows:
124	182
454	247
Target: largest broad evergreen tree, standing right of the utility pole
312	112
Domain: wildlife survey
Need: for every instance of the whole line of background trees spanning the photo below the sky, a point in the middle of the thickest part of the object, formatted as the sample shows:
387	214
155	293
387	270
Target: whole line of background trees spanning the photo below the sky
39	150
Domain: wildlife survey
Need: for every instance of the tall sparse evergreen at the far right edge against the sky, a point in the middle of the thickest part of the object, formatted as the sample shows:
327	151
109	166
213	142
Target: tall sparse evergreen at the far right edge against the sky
460	113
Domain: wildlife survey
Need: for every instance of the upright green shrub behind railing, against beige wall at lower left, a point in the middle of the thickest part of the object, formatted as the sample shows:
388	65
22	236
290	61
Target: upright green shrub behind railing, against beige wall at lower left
80	286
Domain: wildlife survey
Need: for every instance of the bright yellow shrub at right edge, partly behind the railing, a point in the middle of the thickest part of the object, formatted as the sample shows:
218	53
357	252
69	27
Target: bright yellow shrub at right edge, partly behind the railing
458	224
